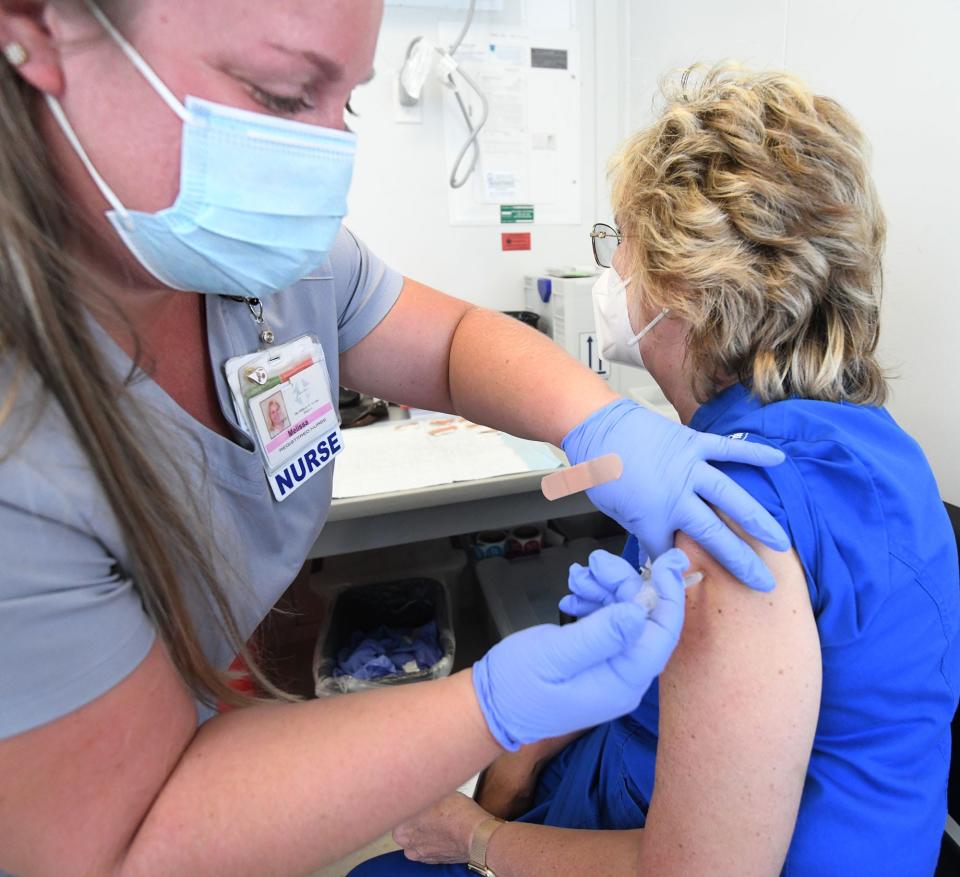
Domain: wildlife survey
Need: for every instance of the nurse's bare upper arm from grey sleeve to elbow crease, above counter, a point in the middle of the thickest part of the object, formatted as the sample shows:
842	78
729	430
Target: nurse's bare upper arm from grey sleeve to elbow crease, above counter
406	358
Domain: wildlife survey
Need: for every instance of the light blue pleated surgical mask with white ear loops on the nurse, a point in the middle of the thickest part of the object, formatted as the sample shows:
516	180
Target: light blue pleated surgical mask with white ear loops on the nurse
261	198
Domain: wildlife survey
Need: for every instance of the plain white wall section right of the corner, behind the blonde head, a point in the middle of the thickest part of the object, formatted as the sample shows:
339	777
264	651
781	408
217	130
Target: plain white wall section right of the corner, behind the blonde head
893	65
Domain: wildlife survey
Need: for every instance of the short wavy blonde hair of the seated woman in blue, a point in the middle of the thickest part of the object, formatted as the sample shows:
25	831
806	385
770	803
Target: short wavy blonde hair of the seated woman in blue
747	208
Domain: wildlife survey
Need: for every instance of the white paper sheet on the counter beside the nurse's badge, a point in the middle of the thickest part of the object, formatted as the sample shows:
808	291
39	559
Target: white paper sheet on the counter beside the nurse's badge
412	455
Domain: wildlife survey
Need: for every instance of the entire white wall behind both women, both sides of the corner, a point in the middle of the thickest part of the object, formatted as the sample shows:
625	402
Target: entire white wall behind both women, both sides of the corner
890	63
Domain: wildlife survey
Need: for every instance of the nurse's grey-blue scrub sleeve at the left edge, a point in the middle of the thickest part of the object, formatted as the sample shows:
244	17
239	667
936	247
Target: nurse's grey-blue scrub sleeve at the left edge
71	626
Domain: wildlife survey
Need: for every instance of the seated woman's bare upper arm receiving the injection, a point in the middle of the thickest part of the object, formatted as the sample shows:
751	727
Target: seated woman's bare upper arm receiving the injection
739	703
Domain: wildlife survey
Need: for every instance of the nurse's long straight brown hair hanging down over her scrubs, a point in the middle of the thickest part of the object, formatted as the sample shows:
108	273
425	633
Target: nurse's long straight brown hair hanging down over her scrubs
43	330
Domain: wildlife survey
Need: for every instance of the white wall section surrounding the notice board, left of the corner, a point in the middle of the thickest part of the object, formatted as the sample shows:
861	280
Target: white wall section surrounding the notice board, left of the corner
398	203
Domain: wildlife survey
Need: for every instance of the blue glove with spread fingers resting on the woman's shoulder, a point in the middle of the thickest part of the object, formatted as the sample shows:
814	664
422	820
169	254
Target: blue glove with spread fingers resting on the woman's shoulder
667	483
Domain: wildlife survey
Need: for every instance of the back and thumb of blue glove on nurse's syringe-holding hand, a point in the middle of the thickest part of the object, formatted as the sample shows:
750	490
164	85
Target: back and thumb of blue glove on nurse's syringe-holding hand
548	680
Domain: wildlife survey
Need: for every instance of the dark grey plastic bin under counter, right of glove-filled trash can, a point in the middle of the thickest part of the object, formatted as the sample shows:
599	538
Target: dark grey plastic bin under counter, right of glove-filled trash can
524	592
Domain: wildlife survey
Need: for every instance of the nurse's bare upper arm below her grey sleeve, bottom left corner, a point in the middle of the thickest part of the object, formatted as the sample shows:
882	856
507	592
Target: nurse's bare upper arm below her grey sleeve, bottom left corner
74	791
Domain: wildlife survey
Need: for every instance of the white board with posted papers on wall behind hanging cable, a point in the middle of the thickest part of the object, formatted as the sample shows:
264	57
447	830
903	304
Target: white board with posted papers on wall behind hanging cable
530	146
